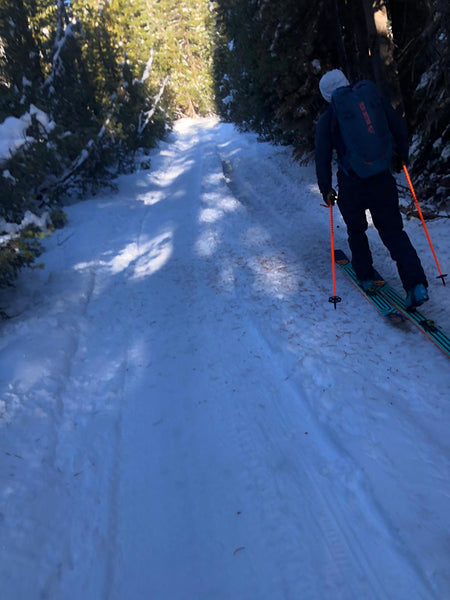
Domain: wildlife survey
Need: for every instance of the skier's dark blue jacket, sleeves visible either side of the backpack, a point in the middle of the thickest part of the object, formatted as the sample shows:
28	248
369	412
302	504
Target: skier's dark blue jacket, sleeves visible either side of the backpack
328	138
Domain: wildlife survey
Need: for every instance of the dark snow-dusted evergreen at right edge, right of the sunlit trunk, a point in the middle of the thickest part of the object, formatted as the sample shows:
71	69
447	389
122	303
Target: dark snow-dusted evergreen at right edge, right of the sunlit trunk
422	36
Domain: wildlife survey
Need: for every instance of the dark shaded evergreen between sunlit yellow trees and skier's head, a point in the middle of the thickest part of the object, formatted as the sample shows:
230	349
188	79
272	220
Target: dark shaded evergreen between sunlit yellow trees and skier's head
268	65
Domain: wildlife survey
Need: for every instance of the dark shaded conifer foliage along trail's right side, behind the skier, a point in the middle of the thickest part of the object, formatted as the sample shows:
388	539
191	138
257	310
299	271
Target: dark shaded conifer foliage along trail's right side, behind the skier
272	54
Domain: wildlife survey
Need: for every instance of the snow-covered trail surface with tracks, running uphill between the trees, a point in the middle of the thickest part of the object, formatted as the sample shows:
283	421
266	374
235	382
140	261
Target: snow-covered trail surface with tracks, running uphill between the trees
184	416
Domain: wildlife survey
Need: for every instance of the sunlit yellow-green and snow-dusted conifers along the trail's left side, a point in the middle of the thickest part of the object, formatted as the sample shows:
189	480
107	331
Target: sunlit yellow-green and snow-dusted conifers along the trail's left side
91	82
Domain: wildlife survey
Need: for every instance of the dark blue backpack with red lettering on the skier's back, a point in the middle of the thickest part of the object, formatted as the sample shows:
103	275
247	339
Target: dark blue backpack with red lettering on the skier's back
364	128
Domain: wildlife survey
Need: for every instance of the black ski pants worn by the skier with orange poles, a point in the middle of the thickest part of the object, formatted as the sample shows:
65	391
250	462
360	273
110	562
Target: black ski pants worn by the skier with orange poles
378	194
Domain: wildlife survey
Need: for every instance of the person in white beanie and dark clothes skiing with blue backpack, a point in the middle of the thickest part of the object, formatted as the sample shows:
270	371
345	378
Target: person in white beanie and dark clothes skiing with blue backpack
373	187
